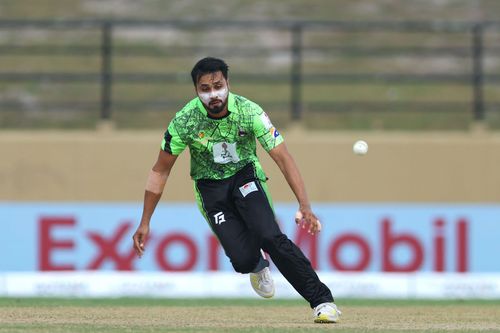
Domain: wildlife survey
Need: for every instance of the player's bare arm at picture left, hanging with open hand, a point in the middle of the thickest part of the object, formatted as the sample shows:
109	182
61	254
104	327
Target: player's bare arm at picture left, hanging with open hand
154	189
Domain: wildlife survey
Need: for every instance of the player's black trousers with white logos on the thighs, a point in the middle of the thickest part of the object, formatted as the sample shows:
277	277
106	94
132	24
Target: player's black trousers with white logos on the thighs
241	216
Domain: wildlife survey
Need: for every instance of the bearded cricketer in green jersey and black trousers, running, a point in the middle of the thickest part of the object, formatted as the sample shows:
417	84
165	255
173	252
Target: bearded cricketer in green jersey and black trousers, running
220	129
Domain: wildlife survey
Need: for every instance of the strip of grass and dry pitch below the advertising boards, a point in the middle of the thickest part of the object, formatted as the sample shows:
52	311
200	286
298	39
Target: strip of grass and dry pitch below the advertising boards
242	315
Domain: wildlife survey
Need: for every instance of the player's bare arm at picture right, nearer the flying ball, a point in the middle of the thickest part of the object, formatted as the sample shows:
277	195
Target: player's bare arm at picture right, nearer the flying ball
289	168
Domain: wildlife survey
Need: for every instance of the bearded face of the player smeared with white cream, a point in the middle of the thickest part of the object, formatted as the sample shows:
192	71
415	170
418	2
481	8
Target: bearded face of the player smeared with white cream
213	89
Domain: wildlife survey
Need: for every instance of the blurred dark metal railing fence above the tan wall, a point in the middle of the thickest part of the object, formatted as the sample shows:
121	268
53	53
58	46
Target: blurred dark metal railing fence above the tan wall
301	66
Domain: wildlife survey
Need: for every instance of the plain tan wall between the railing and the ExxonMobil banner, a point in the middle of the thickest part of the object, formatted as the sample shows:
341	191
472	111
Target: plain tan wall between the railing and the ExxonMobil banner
113	166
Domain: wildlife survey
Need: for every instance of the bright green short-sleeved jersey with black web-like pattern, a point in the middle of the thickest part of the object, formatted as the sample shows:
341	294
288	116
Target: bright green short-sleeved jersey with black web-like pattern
221	147
